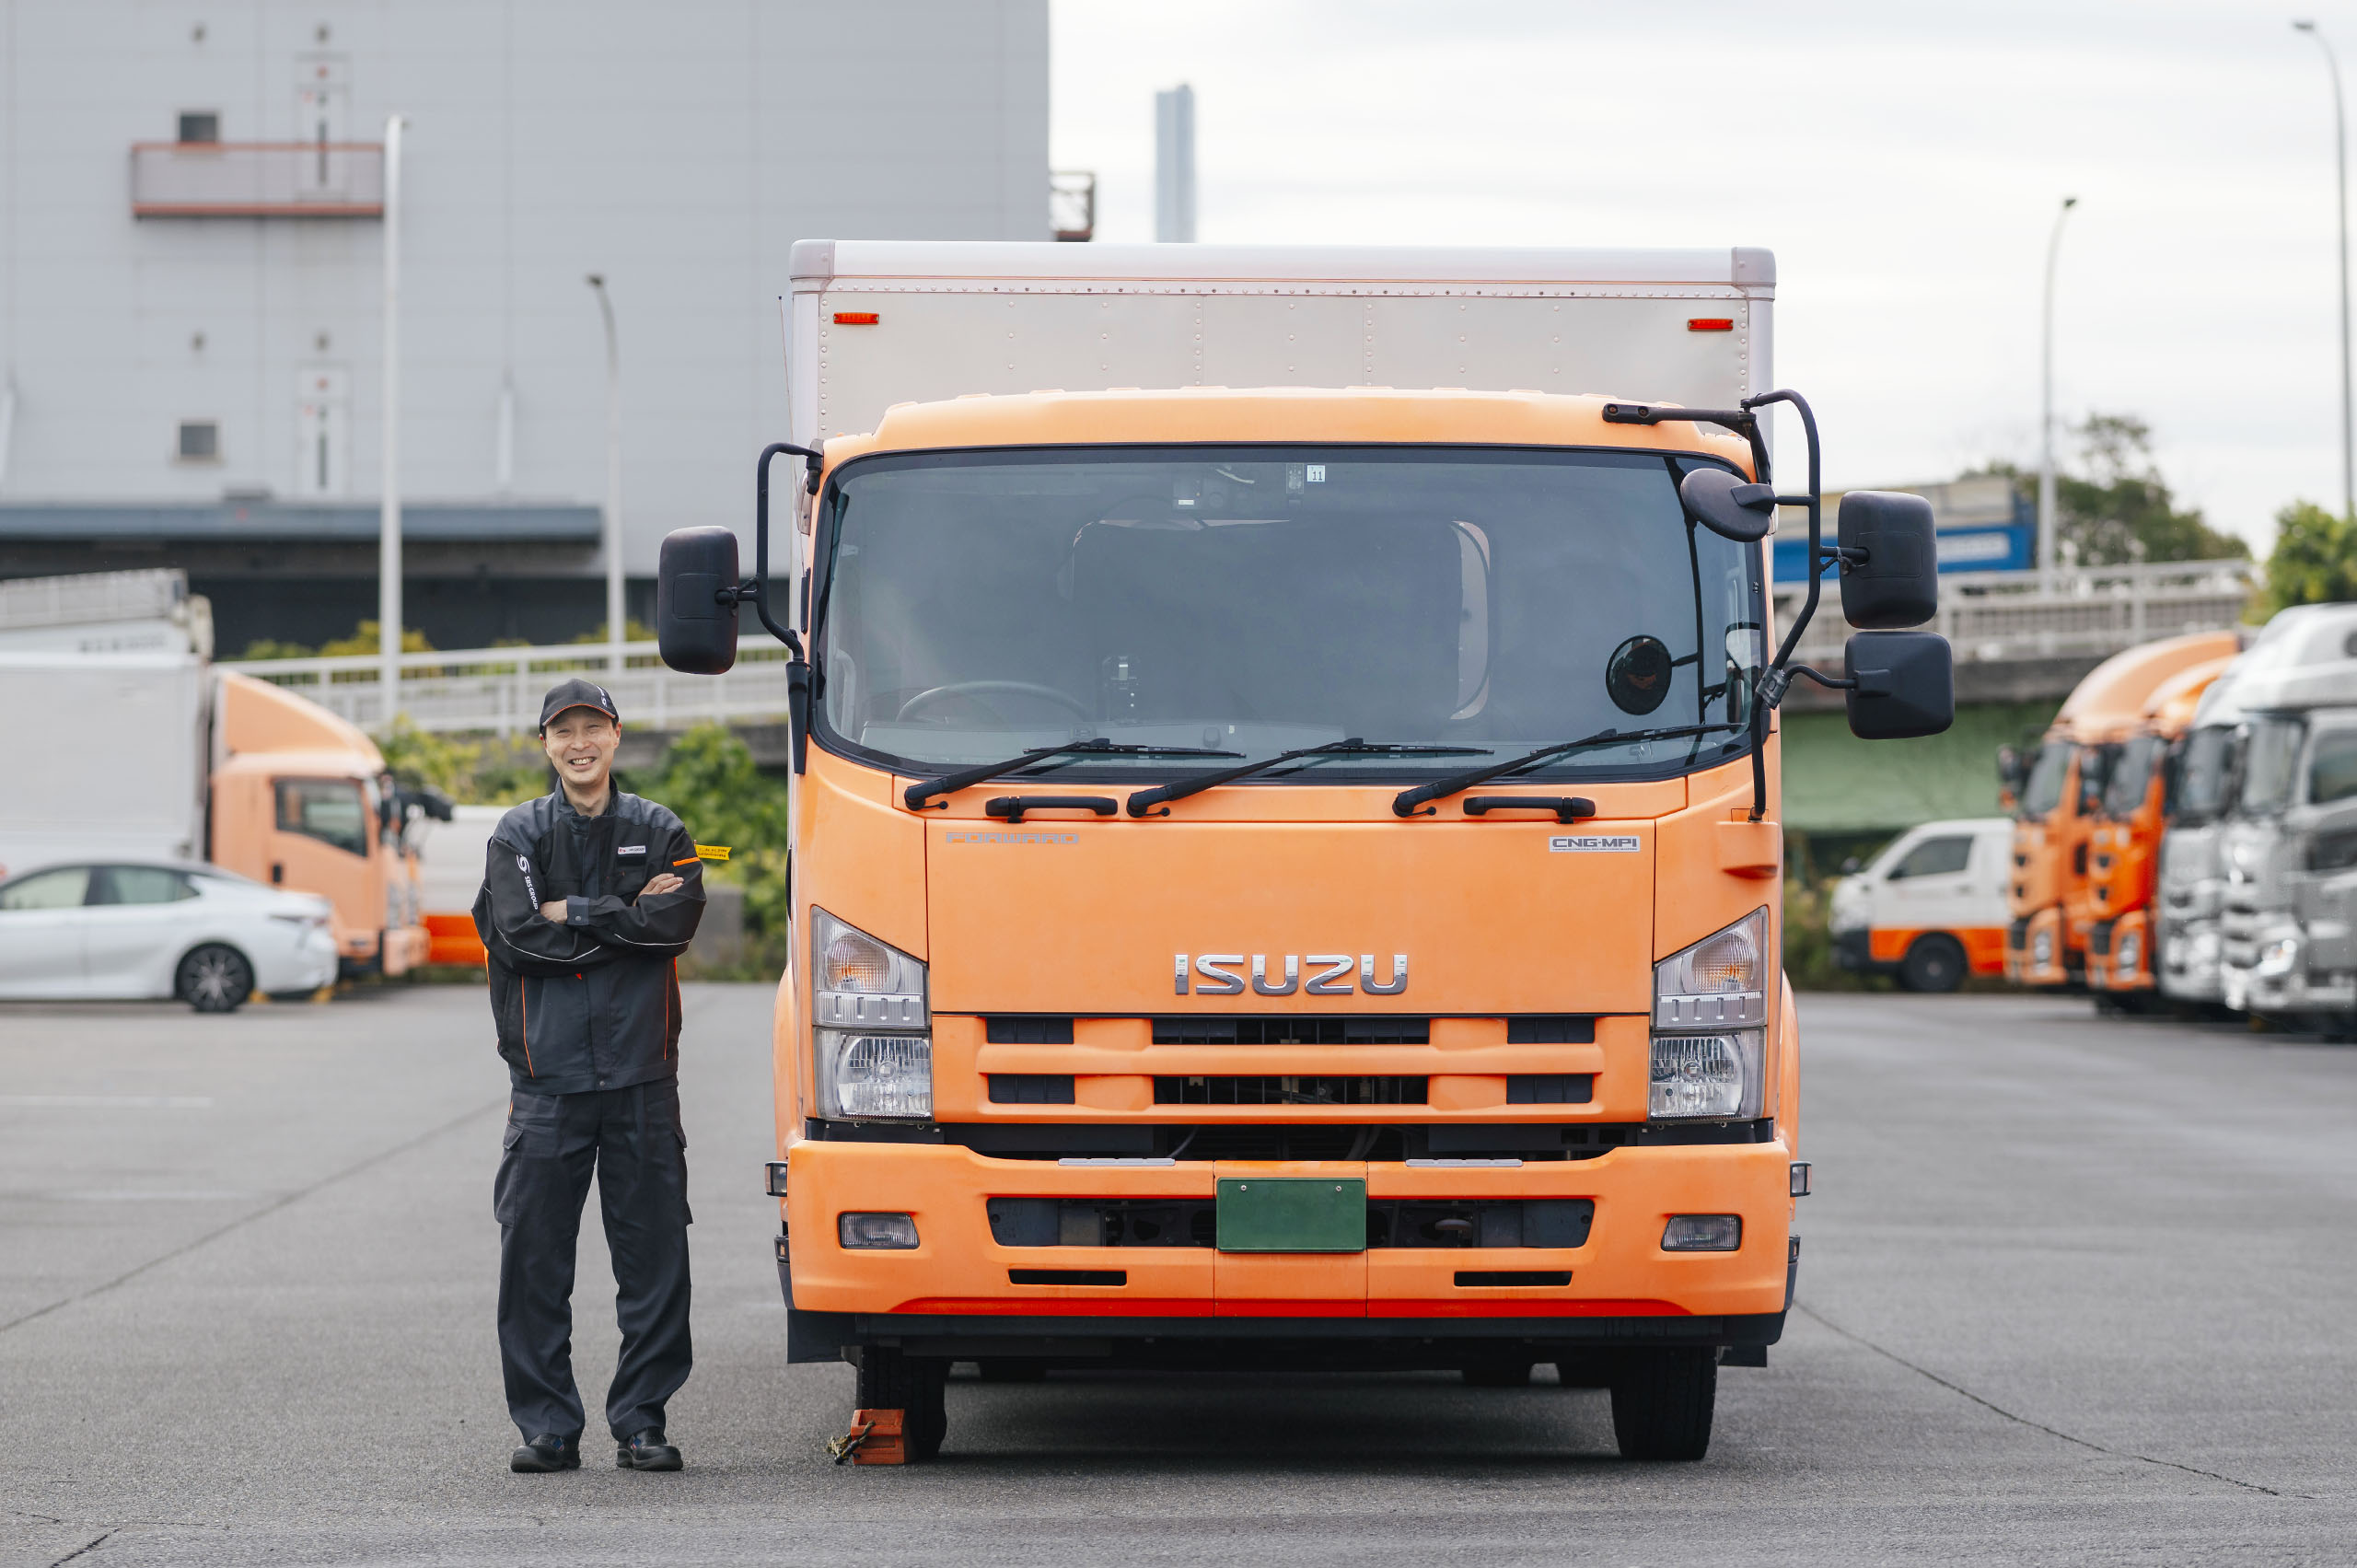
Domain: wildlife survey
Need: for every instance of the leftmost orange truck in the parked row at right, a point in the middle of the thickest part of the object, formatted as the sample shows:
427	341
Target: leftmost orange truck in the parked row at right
2059	803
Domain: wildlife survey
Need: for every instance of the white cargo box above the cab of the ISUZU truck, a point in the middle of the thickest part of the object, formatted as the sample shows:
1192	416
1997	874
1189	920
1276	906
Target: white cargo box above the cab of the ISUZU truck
871	324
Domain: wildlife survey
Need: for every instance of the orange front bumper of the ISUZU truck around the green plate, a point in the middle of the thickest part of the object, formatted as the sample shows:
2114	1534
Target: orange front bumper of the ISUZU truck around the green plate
958	1286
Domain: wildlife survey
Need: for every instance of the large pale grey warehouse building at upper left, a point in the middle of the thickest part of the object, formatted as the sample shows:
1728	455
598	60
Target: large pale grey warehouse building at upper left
192	242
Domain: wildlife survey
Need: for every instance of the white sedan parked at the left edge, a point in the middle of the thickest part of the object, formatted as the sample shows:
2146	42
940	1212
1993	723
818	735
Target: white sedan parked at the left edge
114	930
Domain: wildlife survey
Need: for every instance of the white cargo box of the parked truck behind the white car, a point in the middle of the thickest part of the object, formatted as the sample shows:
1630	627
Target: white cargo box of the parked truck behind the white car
110	756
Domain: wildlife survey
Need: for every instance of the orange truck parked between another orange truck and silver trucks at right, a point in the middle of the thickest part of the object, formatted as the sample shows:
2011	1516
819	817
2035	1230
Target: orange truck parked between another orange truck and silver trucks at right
2125	845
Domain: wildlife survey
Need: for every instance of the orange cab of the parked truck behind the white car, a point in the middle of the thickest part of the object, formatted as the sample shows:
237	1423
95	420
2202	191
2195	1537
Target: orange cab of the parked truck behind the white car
301	801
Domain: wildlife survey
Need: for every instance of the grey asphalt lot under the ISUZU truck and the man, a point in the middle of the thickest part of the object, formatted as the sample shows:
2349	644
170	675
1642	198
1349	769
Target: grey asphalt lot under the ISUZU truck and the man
2073	1291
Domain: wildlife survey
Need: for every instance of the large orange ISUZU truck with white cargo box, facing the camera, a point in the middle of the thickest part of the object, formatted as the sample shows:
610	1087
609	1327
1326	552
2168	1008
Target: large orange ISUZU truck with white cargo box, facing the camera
1290	876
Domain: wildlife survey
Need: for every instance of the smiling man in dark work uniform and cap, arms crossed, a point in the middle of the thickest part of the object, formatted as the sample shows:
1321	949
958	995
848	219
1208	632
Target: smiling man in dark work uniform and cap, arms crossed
588	902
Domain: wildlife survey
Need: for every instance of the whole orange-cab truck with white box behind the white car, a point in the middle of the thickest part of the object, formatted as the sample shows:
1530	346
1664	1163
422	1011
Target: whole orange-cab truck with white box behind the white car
133	744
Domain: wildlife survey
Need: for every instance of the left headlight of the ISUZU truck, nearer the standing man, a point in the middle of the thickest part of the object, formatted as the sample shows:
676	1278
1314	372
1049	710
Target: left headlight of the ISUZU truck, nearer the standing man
871	1027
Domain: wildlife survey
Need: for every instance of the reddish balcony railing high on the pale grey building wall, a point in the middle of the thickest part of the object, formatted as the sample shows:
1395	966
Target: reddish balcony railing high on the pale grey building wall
258	180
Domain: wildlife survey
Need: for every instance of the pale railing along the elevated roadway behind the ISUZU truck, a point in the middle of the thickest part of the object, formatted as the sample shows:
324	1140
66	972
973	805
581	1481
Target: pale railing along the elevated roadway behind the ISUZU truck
499	690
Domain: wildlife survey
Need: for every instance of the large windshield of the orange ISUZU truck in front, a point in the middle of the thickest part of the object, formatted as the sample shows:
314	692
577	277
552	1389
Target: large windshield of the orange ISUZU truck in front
1267	600
